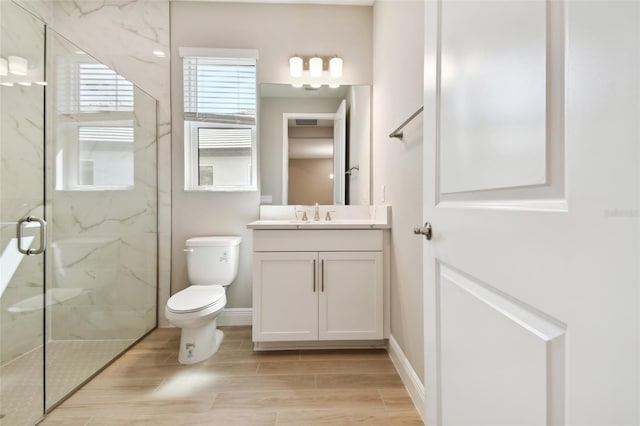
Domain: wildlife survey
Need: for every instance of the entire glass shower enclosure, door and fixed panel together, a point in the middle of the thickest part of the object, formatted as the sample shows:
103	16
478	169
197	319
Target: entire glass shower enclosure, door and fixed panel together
78	216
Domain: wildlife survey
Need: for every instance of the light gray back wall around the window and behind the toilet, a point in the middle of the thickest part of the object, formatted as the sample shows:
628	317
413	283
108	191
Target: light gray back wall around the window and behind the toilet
277	32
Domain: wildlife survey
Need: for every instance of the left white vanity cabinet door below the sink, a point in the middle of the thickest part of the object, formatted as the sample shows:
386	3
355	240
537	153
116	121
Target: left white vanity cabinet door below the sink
285	298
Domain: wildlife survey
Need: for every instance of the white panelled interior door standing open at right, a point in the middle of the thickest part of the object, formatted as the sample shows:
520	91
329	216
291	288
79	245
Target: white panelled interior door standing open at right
532	187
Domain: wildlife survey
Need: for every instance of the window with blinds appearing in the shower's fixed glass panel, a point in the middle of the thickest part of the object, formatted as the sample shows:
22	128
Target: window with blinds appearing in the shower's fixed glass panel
94	127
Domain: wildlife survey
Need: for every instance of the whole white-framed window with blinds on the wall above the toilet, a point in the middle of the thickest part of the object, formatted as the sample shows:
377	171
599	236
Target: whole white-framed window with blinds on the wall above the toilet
219	119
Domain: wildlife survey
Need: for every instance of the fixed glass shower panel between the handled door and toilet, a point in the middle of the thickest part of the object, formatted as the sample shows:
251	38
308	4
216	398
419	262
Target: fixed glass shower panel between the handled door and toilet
101	193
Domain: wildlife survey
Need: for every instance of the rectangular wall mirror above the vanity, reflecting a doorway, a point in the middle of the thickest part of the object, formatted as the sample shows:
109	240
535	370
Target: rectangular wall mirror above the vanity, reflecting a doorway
315	144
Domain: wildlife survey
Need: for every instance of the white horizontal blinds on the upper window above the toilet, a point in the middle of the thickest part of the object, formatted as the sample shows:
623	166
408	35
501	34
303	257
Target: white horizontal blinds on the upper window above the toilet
220	90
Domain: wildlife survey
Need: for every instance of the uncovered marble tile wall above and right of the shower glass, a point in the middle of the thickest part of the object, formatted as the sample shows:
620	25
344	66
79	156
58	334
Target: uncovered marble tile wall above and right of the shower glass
124	35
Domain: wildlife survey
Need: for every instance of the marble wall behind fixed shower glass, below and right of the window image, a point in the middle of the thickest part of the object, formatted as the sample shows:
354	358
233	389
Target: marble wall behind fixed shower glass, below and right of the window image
105	245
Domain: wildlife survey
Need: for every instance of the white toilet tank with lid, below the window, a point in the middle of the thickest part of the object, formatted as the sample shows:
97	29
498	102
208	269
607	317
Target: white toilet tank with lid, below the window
212	260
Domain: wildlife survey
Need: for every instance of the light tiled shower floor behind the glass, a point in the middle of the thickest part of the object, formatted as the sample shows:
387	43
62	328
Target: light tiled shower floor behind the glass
68	364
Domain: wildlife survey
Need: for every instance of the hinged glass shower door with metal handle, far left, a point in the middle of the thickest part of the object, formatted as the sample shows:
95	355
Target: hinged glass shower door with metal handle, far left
22	153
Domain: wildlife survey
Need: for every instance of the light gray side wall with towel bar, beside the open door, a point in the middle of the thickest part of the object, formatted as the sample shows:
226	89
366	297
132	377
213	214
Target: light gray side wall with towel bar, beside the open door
397	165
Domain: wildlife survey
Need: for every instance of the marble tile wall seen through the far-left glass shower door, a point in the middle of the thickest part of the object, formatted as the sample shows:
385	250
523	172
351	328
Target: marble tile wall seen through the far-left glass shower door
21	130
